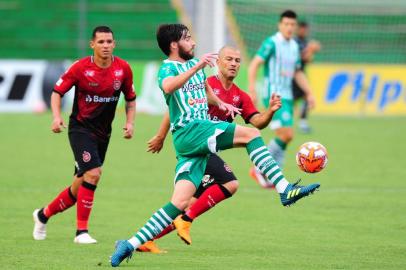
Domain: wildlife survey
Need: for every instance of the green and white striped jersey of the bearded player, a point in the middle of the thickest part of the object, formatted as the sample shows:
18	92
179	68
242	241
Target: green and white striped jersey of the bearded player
188	103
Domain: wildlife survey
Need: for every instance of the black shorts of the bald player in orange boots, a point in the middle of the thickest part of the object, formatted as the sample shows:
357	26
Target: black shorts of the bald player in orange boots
217	172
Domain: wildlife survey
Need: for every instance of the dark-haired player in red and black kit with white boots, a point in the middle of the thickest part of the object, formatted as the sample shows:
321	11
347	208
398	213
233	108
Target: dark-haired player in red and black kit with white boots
98	79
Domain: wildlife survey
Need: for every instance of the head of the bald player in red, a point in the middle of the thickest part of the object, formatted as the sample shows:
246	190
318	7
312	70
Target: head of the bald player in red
229	63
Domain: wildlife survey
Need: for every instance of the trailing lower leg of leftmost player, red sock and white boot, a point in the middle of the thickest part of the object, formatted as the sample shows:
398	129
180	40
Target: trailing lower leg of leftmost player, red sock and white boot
63	201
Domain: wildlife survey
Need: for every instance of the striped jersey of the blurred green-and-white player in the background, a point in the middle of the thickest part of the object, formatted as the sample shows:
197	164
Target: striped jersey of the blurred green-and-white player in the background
282	59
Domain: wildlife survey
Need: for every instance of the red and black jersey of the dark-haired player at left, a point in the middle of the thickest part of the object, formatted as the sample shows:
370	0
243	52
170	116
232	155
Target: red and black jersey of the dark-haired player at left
97	91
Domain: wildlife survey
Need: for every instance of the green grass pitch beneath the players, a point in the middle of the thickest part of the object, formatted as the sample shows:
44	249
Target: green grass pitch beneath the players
356	221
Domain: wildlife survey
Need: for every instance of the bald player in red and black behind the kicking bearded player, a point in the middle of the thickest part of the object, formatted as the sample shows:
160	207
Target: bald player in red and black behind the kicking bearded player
219	182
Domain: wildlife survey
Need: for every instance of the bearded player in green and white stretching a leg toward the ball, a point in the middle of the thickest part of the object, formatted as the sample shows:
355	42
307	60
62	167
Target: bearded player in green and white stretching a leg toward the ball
187	94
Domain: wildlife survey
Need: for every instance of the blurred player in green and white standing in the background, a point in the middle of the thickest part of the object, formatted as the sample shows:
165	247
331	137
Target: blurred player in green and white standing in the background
280	56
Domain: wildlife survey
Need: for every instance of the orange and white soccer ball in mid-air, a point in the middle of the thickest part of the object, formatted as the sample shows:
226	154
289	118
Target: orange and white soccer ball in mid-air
311	157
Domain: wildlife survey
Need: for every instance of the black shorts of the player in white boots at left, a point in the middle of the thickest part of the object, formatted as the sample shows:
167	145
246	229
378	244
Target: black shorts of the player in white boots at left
89	151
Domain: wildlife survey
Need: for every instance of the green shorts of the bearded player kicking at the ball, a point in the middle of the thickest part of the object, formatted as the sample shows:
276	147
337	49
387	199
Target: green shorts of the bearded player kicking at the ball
193	144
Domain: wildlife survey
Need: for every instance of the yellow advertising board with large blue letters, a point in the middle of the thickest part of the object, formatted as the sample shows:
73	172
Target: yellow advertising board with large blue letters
359	89
